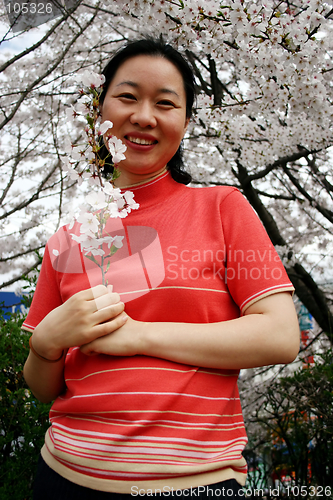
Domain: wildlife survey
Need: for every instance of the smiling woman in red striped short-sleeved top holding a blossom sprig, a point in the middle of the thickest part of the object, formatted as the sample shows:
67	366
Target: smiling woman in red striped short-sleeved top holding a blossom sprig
146	397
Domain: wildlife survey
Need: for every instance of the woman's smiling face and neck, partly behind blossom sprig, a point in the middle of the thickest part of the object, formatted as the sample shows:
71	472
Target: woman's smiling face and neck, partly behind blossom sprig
146	102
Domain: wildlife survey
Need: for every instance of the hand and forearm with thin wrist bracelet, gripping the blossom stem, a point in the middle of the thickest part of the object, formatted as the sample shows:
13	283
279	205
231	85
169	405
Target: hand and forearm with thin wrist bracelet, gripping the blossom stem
85	316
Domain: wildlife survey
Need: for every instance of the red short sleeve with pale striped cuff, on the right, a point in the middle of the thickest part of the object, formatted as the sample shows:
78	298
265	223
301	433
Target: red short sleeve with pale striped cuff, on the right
253	268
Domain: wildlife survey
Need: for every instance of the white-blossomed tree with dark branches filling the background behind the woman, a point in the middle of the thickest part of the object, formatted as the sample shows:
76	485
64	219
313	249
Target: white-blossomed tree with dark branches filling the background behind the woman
263	118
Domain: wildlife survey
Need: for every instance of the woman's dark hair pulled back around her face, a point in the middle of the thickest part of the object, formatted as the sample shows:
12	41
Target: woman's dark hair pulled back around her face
156	48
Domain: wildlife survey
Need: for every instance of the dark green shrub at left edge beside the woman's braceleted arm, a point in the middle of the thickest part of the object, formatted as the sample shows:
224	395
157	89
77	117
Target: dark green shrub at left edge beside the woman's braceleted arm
24	420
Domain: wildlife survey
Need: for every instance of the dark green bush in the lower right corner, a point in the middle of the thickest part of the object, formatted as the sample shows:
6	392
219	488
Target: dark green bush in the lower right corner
299	420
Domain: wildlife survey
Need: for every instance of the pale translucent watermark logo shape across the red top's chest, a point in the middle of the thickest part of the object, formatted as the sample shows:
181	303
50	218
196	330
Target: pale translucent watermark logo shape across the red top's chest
135	269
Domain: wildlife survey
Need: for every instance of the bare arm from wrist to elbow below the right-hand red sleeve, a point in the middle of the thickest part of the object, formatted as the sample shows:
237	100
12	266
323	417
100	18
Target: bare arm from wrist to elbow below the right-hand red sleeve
256	339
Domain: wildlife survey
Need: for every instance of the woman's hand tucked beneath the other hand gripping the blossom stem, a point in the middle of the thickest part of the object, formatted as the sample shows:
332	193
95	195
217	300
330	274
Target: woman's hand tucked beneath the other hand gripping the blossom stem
125	341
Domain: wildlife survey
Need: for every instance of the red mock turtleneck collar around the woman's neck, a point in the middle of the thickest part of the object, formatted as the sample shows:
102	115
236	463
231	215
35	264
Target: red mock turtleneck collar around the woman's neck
156	190
